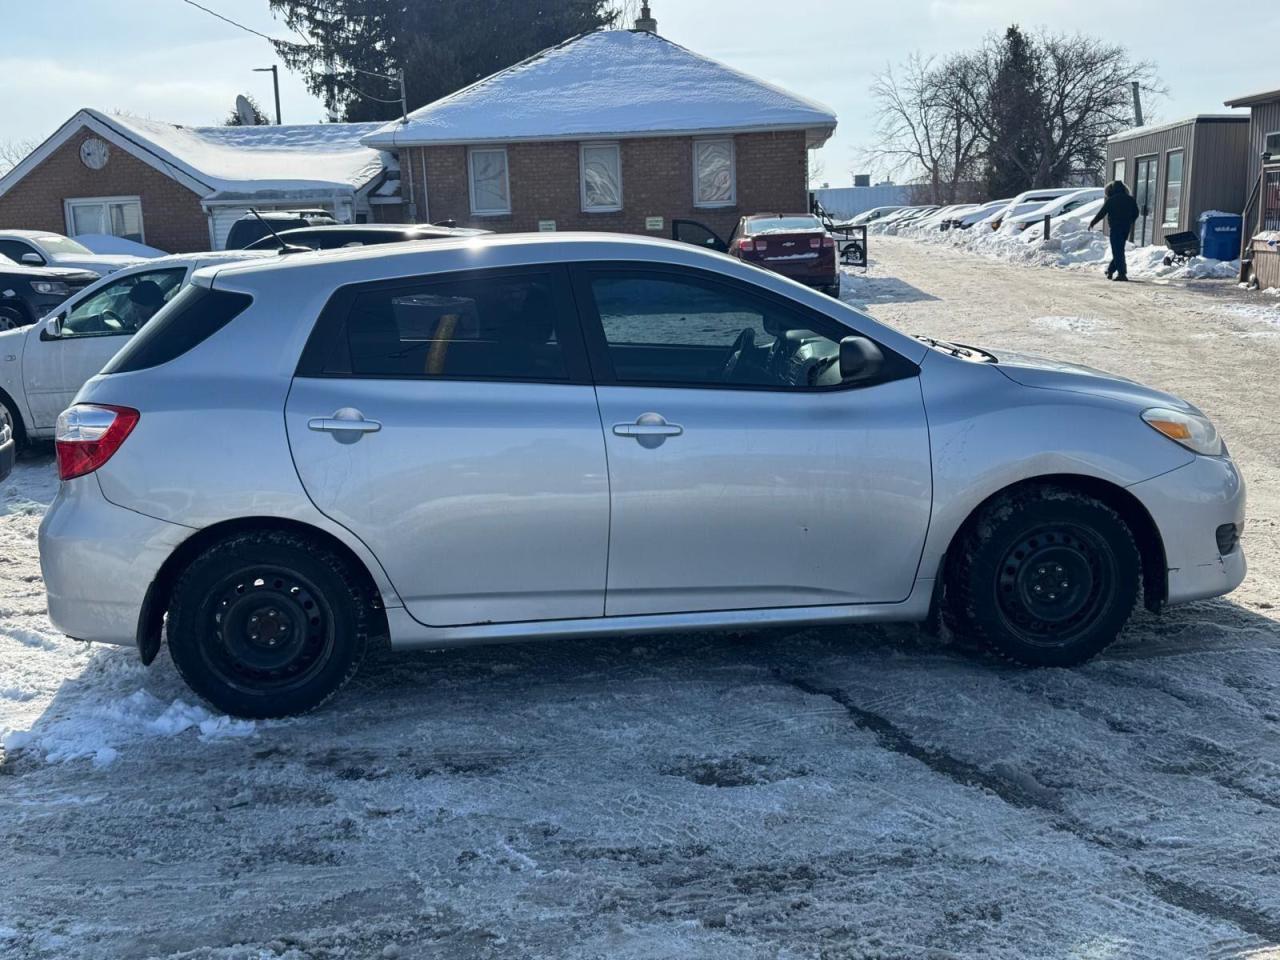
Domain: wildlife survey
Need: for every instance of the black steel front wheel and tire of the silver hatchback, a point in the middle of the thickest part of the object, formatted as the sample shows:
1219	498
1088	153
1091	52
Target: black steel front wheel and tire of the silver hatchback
1044	577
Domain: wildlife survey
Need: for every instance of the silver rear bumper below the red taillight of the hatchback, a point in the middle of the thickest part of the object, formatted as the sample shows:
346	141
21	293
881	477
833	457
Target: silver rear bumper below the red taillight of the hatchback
99	561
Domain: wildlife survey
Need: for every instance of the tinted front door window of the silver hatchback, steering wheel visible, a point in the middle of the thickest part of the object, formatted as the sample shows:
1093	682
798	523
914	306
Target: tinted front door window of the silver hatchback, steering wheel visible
688	331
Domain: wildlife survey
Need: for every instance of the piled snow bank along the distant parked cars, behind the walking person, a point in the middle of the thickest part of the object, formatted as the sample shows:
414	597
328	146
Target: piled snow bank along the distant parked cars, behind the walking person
1071	245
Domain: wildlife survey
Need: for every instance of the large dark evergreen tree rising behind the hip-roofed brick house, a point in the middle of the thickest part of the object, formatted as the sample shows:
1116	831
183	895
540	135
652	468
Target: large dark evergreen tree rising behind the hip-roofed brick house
442	45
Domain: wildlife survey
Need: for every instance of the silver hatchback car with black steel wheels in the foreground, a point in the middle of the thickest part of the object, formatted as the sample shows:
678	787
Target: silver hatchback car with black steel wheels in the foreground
508	438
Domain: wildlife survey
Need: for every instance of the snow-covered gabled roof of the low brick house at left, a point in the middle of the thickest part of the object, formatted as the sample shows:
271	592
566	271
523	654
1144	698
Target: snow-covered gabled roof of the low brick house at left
221	163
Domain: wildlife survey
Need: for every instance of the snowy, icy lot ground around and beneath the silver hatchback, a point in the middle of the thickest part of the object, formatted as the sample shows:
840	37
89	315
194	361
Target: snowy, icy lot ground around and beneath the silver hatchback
844	793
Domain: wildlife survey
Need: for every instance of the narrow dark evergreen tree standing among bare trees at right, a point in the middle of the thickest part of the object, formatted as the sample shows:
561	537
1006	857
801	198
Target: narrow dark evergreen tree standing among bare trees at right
1016	121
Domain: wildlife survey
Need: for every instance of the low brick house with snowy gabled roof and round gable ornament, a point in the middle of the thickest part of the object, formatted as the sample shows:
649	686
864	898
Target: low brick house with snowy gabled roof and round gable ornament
180	189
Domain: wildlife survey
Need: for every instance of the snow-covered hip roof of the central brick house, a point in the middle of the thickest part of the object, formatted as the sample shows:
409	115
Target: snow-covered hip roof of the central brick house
605	85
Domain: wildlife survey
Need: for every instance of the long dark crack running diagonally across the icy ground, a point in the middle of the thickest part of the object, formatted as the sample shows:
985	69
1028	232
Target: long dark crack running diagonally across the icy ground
1183	897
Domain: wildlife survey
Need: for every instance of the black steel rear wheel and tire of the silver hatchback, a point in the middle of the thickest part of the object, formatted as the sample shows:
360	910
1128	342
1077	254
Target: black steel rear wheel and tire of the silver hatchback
268	624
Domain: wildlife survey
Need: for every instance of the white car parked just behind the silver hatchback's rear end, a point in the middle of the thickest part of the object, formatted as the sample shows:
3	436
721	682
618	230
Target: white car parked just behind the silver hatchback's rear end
44	365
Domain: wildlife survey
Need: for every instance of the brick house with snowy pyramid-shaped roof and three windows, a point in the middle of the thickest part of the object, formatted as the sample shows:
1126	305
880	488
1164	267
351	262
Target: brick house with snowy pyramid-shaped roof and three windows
611	131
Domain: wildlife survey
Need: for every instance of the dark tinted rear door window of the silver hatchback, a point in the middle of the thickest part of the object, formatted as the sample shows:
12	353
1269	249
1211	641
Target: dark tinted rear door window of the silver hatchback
492	327
